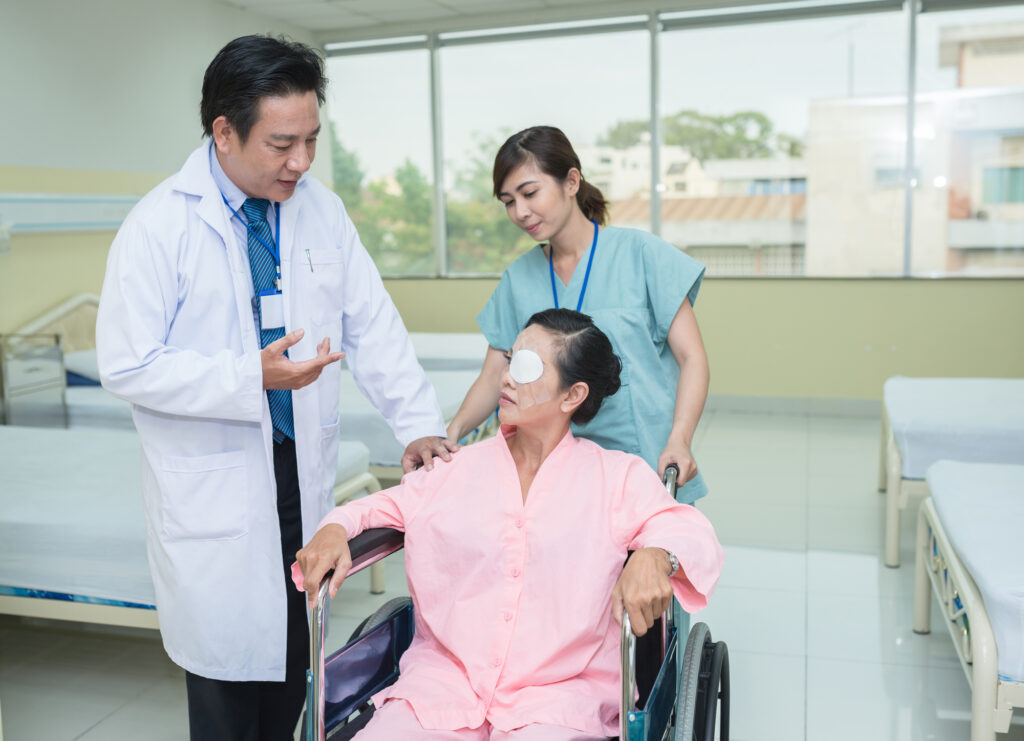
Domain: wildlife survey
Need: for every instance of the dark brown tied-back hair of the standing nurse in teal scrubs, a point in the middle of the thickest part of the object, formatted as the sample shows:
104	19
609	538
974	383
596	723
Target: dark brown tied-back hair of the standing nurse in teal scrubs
551	150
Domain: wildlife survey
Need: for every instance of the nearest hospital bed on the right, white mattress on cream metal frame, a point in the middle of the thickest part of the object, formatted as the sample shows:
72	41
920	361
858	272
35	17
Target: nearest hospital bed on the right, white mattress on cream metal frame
968	556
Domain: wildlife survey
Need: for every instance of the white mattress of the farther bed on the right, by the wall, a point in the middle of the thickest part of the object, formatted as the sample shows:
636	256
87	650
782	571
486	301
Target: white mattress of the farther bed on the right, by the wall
969	420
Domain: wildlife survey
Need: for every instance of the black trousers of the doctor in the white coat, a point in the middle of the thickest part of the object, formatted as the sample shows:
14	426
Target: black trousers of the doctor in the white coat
222	711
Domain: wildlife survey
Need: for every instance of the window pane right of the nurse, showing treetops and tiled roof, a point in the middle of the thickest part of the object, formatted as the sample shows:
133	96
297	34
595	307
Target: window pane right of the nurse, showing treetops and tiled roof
783	123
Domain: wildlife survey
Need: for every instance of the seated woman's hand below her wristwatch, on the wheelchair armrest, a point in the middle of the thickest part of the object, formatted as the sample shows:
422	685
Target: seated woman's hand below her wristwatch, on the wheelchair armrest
644	589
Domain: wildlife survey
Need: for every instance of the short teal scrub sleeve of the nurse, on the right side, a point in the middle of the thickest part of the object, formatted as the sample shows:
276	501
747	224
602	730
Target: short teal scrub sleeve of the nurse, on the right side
671	277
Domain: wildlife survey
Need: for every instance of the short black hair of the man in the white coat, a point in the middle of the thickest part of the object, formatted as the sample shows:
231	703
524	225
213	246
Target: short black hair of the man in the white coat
252	68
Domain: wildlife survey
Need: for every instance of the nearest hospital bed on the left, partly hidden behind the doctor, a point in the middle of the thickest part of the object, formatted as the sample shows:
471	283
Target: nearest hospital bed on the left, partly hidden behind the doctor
74	497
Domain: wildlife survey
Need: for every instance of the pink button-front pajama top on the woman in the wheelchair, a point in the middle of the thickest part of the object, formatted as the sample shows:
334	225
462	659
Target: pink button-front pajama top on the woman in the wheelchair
513	599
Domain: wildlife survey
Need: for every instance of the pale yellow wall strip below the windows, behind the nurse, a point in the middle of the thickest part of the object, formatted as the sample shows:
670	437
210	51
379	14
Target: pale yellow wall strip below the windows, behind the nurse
810	338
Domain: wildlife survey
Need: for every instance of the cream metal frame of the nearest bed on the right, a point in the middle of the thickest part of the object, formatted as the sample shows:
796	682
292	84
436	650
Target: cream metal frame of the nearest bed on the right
940	571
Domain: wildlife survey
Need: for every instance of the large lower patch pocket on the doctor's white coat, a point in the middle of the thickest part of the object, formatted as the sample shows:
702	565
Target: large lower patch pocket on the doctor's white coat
204	498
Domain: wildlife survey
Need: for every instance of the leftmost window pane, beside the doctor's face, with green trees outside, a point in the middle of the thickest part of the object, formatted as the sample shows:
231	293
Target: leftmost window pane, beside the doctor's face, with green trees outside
379	117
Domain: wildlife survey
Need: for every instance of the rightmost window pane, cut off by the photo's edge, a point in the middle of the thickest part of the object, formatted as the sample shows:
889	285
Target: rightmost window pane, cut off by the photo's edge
969	203
